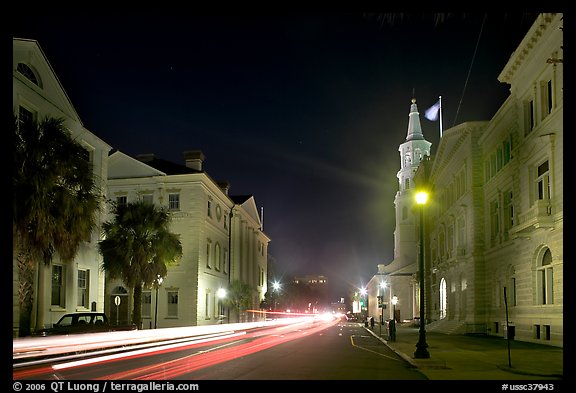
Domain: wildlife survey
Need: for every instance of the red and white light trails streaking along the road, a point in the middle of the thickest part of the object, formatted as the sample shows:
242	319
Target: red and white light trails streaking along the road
230	344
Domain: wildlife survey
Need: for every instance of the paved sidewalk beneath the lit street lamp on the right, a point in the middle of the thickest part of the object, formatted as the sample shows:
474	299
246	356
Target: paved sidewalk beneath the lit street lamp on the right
472	357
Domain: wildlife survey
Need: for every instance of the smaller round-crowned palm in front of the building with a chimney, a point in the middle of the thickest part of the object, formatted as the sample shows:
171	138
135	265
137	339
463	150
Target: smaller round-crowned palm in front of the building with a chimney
137	248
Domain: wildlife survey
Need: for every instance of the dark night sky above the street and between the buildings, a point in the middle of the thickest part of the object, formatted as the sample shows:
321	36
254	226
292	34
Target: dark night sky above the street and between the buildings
304	111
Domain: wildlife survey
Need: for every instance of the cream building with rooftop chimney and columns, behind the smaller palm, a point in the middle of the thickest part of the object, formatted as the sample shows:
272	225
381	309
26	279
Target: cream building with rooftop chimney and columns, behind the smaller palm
221	235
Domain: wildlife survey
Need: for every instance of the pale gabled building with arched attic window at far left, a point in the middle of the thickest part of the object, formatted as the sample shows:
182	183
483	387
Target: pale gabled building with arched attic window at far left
59	288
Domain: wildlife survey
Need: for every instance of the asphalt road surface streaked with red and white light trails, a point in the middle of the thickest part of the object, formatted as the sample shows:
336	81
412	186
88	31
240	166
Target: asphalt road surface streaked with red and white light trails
314	351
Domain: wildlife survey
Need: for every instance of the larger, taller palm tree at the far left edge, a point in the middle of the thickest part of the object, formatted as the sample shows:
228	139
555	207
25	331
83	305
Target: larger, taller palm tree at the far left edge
54	203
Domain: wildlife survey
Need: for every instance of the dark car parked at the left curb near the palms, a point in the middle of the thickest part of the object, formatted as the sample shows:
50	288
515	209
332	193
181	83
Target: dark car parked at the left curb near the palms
83	322
